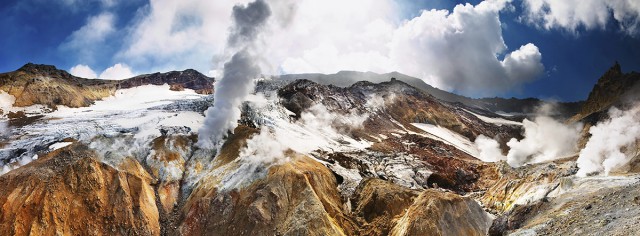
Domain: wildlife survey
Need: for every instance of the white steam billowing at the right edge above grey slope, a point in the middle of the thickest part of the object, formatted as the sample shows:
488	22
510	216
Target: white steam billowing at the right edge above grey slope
613	143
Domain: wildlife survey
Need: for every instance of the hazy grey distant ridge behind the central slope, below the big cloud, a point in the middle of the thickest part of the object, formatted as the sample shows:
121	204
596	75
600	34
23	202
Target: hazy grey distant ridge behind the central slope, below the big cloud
510	105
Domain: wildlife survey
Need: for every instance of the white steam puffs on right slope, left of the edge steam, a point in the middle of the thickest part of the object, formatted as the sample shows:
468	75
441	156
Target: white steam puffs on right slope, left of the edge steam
545	139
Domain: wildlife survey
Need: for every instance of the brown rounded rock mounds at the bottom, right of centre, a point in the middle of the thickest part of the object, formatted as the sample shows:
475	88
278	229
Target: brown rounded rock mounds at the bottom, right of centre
383	208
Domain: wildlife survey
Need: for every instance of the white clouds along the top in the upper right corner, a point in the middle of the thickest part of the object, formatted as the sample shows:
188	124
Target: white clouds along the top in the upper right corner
573	15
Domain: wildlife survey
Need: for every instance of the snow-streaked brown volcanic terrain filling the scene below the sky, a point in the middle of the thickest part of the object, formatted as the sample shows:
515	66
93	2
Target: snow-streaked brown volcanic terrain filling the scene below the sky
307	159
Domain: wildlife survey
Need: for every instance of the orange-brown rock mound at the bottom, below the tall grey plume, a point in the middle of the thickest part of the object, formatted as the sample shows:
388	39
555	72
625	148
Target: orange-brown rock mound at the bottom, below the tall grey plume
295	198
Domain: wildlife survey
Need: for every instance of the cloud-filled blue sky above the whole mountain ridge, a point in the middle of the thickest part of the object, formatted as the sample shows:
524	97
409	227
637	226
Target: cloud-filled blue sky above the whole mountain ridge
566	52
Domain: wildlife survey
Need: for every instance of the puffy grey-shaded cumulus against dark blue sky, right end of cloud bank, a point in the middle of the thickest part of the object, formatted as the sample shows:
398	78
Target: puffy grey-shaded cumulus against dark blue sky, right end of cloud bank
458	50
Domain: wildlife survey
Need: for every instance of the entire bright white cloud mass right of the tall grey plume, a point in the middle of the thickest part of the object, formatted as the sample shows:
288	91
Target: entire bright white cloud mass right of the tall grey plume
455	50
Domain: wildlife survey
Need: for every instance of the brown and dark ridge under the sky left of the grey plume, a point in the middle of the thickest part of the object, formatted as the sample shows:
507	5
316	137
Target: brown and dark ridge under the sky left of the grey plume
47	85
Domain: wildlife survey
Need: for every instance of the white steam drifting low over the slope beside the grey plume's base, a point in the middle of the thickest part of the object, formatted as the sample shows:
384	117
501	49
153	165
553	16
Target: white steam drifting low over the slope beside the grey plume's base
269	147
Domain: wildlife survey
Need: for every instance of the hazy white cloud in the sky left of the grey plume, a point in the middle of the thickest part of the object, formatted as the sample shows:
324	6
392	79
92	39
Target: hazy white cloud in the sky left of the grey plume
178	34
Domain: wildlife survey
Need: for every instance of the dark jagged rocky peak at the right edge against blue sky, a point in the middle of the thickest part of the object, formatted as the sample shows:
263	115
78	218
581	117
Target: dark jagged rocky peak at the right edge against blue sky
614	88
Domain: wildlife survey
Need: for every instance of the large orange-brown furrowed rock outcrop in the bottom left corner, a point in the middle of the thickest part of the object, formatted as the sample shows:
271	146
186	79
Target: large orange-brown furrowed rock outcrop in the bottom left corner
69	192
